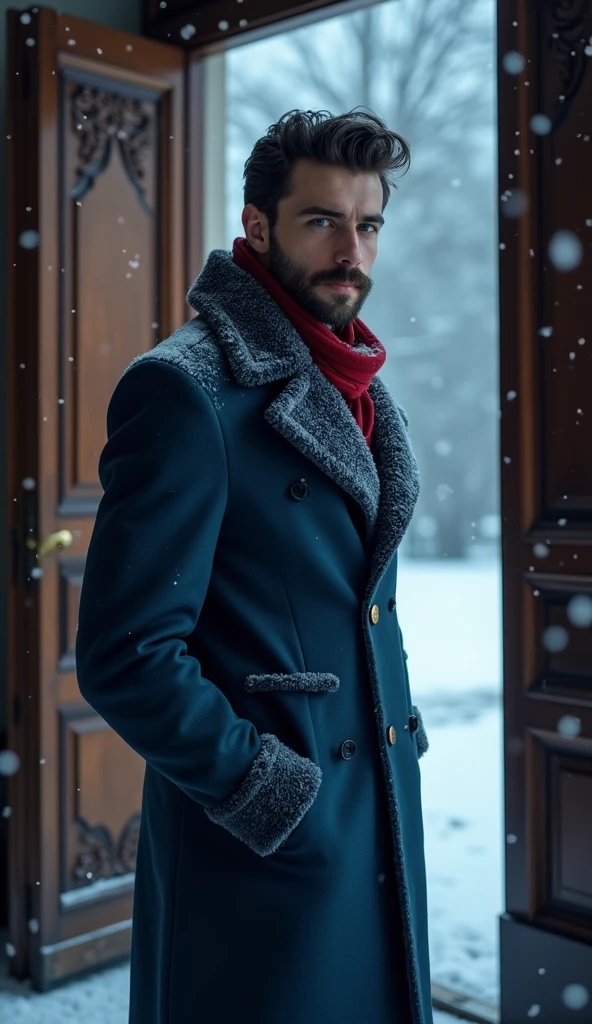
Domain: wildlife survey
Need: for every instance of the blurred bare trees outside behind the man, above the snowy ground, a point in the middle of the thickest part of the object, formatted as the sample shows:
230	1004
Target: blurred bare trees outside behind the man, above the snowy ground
418	64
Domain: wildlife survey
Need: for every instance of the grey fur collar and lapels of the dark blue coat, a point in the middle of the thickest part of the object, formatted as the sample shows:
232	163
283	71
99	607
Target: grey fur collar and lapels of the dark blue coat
263	346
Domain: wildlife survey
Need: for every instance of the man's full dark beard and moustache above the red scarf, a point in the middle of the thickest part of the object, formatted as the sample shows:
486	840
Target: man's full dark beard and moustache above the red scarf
335	315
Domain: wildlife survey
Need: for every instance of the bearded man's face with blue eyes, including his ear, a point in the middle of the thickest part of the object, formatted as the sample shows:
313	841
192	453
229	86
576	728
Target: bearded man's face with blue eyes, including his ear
309	252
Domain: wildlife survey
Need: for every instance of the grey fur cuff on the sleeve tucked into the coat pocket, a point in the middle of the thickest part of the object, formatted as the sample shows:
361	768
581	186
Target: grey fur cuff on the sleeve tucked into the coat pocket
274	797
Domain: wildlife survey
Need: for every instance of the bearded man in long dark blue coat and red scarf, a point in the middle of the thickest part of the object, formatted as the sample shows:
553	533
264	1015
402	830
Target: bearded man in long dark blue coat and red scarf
238	623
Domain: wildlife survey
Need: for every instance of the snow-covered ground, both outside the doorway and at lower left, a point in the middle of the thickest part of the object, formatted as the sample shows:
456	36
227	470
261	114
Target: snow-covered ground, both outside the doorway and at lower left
451	620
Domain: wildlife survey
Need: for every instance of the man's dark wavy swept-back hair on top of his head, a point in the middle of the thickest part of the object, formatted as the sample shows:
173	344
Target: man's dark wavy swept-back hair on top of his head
358	141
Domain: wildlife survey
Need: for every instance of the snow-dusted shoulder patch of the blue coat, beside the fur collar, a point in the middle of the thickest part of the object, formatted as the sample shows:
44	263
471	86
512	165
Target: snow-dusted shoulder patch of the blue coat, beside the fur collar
193	349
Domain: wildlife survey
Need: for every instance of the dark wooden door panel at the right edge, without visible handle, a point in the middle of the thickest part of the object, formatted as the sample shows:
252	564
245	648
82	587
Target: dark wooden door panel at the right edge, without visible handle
546	439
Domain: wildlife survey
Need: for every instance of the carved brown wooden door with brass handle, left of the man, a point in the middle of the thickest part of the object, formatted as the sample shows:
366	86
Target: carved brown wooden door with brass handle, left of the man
97	275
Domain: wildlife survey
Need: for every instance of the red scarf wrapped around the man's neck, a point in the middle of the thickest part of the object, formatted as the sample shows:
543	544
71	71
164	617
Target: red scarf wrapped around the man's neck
350	371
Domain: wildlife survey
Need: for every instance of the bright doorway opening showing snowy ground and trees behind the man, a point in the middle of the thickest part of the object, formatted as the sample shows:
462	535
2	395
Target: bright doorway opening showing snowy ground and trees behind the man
435	308
